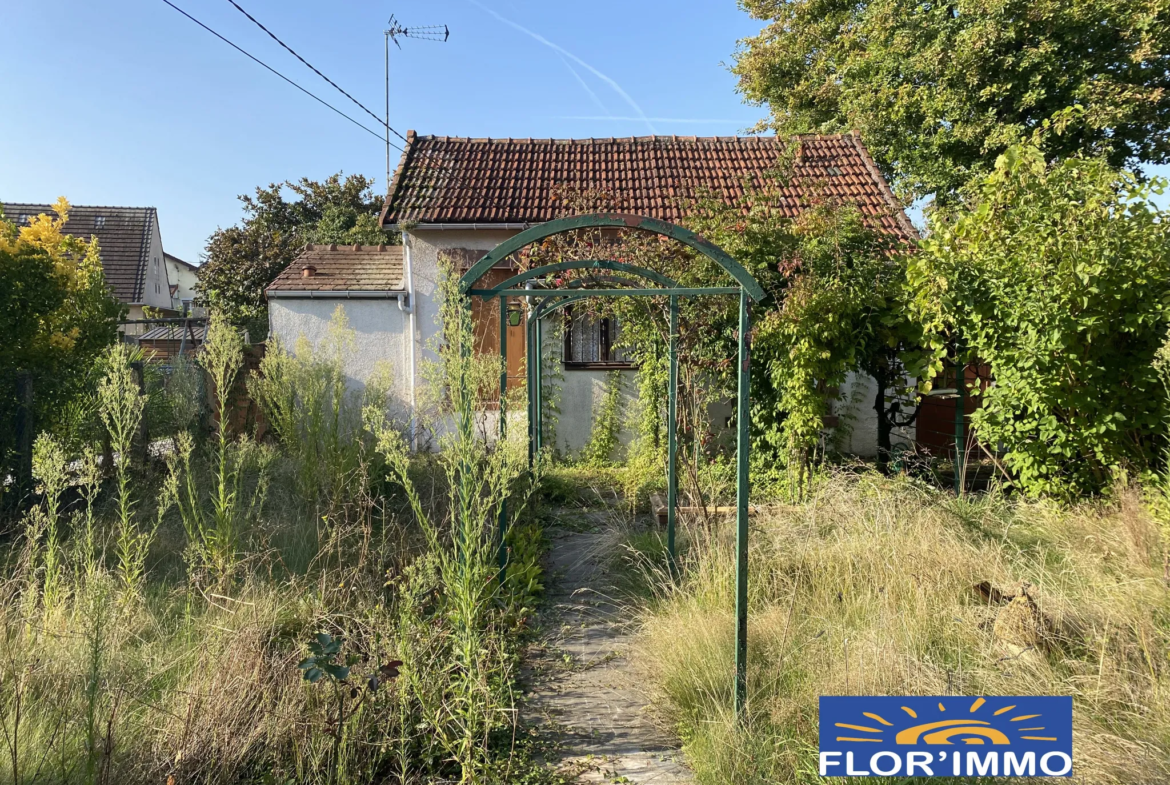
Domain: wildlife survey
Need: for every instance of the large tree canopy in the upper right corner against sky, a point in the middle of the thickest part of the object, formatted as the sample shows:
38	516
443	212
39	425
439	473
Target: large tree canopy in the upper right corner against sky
939	91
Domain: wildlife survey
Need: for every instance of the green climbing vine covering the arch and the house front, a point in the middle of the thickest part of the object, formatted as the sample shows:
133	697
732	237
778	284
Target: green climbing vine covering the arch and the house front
836	305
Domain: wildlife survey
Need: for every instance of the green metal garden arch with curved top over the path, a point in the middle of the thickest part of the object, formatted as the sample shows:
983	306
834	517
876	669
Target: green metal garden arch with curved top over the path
746	287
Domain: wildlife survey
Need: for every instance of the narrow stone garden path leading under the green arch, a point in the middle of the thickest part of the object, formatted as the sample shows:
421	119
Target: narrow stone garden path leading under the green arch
584	694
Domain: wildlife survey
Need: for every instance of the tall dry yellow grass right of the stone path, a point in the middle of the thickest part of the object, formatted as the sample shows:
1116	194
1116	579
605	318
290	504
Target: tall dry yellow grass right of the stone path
873	588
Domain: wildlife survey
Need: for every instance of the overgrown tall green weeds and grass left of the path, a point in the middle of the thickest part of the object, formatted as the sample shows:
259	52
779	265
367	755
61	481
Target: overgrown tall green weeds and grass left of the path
142	644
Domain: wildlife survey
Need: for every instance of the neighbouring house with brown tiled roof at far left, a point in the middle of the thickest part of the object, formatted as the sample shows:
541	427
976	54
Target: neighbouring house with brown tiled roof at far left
132	246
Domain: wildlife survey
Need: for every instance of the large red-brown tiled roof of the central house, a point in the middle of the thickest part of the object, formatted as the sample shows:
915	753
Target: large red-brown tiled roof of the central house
513	182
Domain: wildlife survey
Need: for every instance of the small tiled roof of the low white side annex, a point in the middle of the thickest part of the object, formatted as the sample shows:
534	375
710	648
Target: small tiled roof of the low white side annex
341	270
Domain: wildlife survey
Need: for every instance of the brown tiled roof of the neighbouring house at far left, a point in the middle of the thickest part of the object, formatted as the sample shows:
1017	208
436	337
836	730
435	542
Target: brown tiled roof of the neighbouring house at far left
123	236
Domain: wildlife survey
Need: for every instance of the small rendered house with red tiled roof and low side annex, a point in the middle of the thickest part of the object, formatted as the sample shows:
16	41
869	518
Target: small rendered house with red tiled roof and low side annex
458	198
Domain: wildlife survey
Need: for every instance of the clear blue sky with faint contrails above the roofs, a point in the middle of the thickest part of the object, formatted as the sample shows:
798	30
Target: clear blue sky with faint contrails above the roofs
126	102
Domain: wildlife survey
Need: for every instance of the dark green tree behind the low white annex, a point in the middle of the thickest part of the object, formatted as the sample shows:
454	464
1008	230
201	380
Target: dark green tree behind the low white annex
243	260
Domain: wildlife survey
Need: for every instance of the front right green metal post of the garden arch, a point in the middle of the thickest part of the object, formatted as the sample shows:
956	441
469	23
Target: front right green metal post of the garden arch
744	490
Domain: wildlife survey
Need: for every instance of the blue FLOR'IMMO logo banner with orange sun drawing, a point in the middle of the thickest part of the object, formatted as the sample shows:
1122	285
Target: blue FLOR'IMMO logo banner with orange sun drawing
946	736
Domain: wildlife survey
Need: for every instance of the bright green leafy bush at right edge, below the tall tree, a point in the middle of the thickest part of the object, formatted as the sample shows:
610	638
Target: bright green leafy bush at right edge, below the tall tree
1057	276
